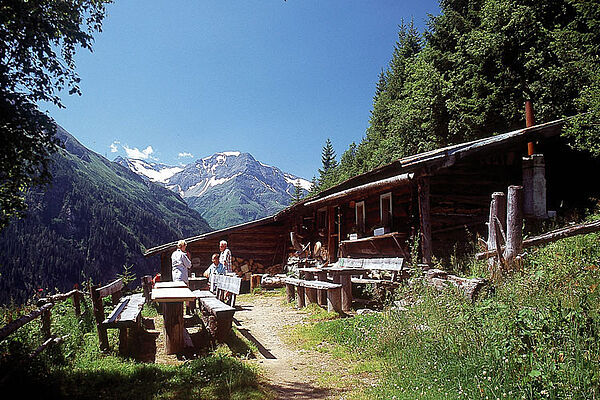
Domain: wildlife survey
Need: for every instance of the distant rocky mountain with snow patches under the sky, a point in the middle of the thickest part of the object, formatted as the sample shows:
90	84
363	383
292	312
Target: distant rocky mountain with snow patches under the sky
227	188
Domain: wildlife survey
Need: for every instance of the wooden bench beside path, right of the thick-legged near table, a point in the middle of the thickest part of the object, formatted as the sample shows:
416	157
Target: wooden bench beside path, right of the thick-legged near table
216	315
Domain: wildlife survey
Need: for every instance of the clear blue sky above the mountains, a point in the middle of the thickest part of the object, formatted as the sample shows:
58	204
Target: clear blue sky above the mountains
177	81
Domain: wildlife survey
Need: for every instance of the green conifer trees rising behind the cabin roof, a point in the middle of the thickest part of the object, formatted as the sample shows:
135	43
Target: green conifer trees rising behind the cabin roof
471	72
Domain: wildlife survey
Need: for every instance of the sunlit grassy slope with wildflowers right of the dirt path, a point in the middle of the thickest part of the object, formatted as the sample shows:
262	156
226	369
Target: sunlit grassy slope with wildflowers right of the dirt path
534	335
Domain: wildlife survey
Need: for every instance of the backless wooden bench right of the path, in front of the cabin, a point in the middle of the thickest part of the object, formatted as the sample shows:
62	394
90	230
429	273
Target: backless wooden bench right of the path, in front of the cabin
308	292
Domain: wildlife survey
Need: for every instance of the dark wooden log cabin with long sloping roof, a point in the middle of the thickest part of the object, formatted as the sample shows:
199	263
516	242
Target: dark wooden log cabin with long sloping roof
440	196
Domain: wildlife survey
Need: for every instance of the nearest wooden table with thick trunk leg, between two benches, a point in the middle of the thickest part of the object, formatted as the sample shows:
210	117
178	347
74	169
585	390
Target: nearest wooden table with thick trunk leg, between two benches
172	299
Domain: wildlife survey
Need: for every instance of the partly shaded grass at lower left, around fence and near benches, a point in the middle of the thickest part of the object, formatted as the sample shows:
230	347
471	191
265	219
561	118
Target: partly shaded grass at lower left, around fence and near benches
77	369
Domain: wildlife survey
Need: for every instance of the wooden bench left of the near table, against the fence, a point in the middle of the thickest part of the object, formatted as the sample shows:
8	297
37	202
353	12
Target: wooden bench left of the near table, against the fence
125	316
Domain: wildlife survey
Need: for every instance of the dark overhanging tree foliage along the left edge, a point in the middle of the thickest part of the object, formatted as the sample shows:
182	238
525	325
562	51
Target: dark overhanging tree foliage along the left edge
38	42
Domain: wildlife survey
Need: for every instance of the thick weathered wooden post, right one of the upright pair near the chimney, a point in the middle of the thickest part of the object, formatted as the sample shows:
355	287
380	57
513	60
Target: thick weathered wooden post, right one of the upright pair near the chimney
514	224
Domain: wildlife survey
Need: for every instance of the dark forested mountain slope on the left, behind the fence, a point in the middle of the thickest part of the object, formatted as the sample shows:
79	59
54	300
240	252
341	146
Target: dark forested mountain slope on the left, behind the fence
94	218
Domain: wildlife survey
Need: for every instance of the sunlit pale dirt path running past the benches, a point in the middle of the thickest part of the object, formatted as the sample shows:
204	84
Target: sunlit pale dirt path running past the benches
291	373
